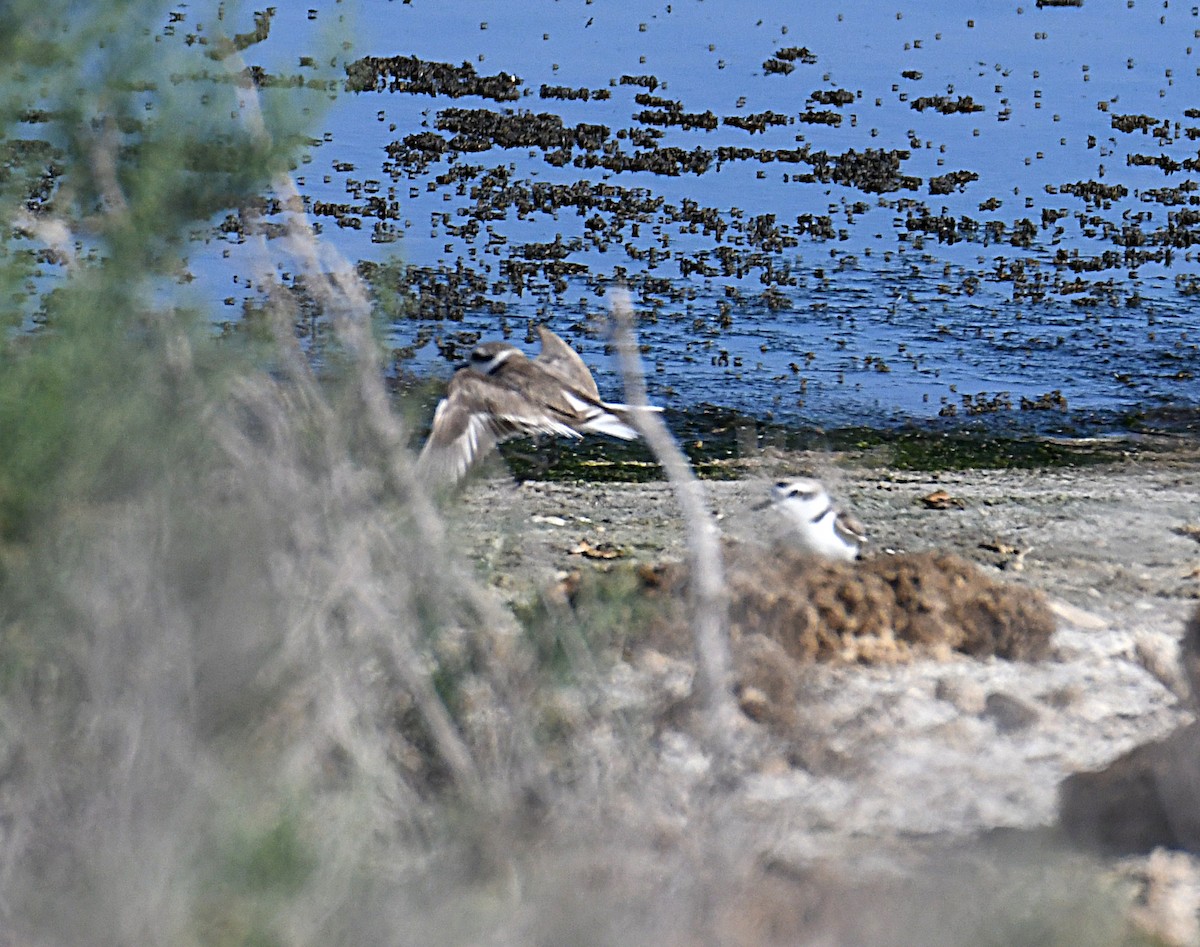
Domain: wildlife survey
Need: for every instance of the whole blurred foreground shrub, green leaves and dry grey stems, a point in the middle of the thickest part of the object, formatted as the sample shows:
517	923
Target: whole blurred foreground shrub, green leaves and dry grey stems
217	598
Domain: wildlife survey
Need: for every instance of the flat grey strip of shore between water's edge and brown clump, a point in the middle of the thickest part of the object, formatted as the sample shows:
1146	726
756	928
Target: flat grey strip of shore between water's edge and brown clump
1106	538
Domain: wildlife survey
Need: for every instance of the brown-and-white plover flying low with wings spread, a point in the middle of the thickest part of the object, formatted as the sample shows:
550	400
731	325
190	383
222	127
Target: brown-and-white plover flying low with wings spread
502	394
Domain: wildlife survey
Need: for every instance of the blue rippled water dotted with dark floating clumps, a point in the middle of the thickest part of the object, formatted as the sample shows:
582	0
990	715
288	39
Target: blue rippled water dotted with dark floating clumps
1061	260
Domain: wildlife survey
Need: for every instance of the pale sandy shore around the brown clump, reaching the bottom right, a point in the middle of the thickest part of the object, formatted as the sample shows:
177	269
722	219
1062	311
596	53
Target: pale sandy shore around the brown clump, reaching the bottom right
897	771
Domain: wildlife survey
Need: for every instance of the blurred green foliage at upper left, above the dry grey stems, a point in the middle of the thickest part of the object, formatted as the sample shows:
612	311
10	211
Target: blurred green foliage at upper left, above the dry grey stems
118	143
